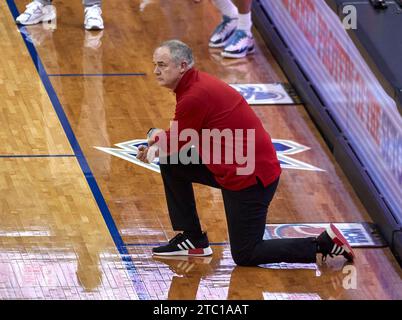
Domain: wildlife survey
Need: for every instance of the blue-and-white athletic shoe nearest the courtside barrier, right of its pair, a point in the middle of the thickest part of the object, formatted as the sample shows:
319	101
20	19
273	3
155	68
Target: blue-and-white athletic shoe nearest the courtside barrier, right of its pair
239	45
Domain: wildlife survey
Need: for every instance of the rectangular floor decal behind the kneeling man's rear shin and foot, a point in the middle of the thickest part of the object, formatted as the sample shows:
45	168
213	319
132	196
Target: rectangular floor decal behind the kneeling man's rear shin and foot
362	234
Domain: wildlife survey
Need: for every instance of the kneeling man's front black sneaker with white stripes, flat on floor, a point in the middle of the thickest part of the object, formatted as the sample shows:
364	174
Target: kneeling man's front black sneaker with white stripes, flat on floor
181	245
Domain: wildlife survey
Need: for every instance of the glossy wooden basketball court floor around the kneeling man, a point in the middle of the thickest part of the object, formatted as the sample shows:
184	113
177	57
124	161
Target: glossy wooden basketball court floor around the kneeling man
77	223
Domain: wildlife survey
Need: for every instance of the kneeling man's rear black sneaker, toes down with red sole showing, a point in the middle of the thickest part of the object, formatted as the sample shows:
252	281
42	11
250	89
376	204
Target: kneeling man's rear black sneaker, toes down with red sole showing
331	242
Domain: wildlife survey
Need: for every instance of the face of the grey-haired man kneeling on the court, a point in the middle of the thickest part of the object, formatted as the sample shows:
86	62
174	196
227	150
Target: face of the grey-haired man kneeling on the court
167	72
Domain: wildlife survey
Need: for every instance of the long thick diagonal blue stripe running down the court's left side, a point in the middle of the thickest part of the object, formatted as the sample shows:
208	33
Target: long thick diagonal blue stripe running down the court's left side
139	286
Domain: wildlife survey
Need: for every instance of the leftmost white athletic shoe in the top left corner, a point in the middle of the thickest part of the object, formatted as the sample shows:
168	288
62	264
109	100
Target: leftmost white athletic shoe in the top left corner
36	12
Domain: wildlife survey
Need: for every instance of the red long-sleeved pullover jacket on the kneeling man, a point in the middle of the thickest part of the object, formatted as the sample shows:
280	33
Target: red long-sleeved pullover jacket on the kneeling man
205	103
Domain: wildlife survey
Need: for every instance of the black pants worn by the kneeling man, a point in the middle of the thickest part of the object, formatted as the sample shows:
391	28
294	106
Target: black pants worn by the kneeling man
246	212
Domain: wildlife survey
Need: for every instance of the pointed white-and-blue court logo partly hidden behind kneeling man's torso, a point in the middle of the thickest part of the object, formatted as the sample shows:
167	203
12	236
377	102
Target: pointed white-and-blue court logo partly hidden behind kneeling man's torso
284	148
